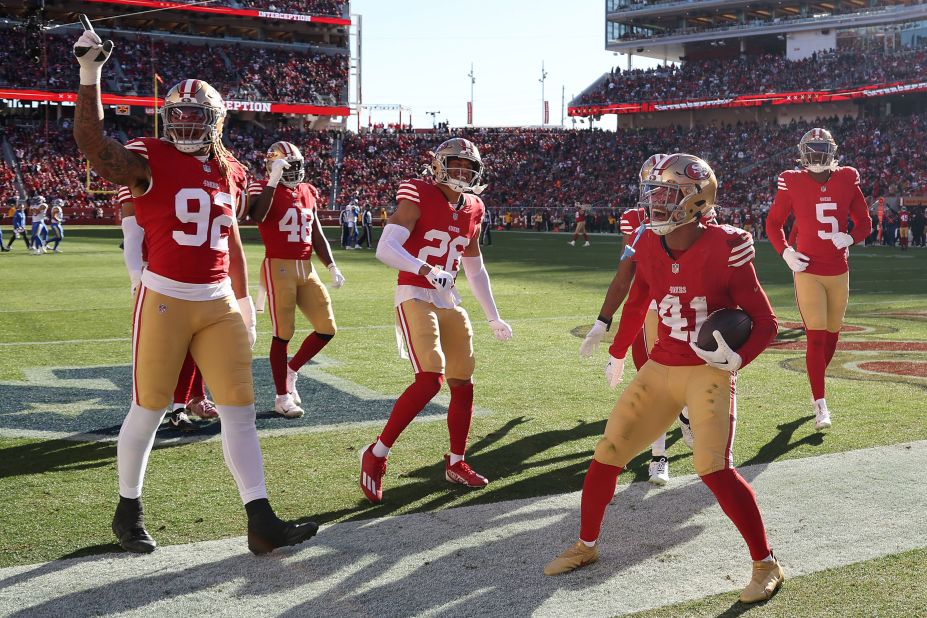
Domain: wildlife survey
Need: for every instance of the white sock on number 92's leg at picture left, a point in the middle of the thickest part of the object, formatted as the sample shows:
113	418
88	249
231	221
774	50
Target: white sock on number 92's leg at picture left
136	437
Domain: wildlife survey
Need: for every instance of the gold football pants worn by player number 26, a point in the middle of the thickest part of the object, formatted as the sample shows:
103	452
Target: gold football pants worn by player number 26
439	340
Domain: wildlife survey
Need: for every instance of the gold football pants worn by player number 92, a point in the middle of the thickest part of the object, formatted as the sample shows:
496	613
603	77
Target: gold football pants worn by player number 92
164	328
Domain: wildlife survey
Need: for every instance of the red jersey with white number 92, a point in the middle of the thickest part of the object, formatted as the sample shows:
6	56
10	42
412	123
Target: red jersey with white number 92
187	212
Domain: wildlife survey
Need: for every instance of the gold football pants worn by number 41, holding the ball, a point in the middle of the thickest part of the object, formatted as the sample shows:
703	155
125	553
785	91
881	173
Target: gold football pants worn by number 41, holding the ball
650	404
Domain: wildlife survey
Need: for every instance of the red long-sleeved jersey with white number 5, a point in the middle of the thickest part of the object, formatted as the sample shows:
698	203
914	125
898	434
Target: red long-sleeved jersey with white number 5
820	211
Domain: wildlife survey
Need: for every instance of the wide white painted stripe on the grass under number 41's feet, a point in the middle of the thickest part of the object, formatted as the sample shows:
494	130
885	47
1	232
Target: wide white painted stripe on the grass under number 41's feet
487	560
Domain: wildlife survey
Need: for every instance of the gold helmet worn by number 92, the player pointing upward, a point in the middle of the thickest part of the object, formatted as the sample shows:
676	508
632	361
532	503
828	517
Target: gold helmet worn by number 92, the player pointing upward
192	115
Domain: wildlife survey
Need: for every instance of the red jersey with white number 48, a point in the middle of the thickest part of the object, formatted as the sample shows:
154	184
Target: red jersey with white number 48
286	229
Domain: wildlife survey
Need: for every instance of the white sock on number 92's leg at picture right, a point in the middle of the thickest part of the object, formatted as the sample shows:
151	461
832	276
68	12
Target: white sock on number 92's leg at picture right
242	451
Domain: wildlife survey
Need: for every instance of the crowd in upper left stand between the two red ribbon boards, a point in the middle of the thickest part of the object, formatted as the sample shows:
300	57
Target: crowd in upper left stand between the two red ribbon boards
241	73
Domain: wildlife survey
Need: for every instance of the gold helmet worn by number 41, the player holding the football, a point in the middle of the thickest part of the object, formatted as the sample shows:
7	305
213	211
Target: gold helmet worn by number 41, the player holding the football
679	189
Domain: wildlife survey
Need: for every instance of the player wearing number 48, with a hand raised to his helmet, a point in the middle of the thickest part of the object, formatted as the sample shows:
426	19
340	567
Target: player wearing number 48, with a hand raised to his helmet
290	230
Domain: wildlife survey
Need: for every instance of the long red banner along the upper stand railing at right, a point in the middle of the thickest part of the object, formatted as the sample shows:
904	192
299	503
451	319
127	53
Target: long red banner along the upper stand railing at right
753	100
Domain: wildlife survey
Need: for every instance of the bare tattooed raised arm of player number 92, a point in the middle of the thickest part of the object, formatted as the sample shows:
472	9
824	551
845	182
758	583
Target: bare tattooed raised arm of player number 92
110	159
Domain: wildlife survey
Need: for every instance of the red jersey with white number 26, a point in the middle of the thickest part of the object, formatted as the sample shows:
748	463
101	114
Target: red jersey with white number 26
442	231
